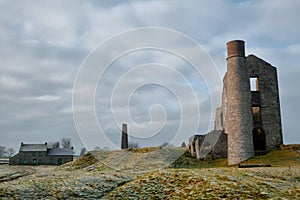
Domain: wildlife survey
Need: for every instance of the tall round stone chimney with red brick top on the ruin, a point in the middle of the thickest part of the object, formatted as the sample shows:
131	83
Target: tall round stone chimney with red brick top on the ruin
239	115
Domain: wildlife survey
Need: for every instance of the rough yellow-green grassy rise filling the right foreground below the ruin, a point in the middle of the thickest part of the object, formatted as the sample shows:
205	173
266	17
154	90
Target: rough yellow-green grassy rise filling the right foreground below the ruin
215	183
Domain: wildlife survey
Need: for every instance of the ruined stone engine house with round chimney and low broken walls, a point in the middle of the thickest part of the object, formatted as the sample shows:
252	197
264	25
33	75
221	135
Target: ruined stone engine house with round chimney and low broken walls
248	122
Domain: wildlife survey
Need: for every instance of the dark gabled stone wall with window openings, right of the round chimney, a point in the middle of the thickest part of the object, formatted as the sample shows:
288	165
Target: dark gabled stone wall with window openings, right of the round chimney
267	98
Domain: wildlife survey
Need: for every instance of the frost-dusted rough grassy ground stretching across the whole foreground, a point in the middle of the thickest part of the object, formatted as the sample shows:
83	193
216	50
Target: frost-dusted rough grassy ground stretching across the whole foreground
87	178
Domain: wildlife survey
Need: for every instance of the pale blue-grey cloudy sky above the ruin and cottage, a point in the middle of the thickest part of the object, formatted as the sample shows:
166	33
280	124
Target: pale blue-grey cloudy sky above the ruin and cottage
51	56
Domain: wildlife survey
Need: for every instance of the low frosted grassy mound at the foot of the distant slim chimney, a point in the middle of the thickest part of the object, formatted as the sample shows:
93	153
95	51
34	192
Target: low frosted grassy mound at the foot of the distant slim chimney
130	160
